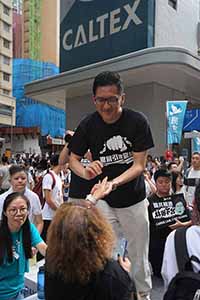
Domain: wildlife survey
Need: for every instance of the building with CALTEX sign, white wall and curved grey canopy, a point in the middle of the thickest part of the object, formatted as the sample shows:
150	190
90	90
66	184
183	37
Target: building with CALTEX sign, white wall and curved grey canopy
162	65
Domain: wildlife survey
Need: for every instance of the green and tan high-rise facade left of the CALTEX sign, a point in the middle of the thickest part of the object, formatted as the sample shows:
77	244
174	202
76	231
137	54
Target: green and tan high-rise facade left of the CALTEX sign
40	30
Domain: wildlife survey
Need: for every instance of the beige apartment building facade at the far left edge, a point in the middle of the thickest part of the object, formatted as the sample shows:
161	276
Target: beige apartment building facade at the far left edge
7	102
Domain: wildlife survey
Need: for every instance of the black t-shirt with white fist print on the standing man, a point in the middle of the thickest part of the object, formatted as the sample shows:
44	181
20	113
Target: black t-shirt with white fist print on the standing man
114	144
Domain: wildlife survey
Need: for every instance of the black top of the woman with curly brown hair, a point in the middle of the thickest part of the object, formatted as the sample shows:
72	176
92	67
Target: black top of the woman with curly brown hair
113	283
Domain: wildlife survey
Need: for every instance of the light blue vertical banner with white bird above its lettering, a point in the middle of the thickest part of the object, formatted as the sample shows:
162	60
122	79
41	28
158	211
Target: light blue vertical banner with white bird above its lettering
175	116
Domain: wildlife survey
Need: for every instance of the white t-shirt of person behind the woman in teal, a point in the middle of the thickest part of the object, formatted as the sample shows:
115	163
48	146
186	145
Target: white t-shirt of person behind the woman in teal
35	206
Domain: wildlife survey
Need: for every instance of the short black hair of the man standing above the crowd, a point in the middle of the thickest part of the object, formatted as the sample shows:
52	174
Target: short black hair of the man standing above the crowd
108	78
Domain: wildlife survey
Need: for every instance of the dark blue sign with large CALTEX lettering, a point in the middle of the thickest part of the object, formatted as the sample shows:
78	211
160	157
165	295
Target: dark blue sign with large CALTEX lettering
93	30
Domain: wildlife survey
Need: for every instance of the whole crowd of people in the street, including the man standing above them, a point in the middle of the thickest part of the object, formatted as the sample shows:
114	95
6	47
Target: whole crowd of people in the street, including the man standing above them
74	206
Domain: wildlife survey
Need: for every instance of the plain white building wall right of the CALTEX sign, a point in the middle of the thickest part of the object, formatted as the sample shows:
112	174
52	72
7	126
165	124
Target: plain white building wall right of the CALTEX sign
177	27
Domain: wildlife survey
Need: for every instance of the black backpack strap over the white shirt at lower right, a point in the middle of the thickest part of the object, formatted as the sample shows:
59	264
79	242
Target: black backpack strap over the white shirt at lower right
182	256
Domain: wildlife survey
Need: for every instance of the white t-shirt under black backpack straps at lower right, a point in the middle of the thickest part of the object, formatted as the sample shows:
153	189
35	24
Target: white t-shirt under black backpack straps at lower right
169	265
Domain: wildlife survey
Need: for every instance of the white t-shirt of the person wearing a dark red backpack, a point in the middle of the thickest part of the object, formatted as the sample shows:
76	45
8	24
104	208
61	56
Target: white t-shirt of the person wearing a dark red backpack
57	195
